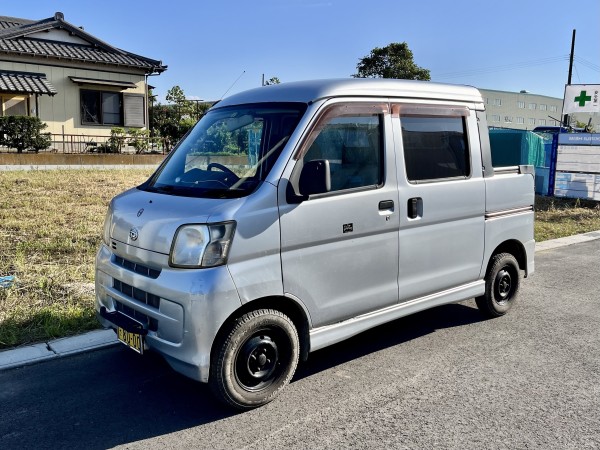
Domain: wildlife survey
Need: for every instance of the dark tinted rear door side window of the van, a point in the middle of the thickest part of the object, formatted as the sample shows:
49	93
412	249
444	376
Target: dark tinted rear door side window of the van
435	144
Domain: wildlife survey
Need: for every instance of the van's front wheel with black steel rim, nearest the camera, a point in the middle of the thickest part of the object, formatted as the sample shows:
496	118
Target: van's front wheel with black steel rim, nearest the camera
255	359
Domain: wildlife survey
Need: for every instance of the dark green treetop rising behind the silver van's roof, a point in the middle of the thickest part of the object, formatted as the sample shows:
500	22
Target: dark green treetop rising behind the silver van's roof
392	61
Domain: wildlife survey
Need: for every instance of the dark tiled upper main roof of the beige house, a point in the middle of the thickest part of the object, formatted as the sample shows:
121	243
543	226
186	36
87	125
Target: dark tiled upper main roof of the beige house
15	40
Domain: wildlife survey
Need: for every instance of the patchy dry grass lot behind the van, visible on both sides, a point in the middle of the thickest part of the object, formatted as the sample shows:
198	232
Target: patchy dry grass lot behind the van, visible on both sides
50	230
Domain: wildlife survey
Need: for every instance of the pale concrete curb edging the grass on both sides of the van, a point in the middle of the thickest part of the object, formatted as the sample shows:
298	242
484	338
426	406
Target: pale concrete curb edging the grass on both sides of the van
97	339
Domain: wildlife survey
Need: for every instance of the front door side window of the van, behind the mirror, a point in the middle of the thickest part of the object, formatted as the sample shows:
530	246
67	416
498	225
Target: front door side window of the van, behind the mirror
353	145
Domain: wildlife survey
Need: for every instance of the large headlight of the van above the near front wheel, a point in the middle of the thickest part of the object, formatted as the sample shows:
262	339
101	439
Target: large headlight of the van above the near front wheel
197	246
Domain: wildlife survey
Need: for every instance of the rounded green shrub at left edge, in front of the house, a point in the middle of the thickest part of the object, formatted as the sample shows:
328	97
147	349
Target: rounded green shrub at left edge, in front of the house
23	133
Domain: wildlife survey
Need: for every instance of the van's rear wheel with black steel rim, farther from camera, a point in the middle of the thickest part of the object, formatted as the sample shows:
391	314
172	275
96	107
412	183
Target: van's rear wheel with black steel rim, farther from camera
502	283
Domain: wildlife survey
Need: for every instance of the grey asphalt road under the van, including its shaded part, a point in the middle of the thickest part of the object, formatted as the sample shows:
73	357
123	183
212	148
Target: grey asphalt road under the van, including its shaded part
443	378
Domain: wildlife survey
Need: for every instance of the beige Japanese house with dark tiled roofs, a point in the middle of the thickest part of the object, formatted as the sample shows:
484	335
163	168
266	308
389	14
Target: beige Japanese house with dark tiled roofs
77	84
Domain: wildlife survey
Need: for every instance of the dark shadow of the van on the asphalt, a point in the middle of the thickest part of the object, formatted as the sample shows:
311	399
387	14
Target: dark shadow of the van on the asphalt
114	396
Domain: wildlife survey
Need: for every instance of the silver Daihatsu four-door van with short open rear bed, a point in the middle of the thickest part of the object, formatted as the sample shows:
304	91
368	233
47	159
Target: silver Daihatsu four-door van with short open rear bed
297	215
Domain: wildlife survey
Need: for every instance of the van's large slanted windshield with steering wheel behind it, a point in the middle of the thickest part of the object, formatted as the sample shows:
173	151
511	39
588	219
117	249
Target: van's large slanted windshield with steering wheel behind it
229	152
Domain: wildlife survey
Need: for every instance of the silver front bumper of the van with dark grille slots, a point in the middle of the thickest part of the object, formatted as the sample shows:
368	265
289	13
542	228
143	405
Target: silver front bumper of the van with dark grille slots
180	310
